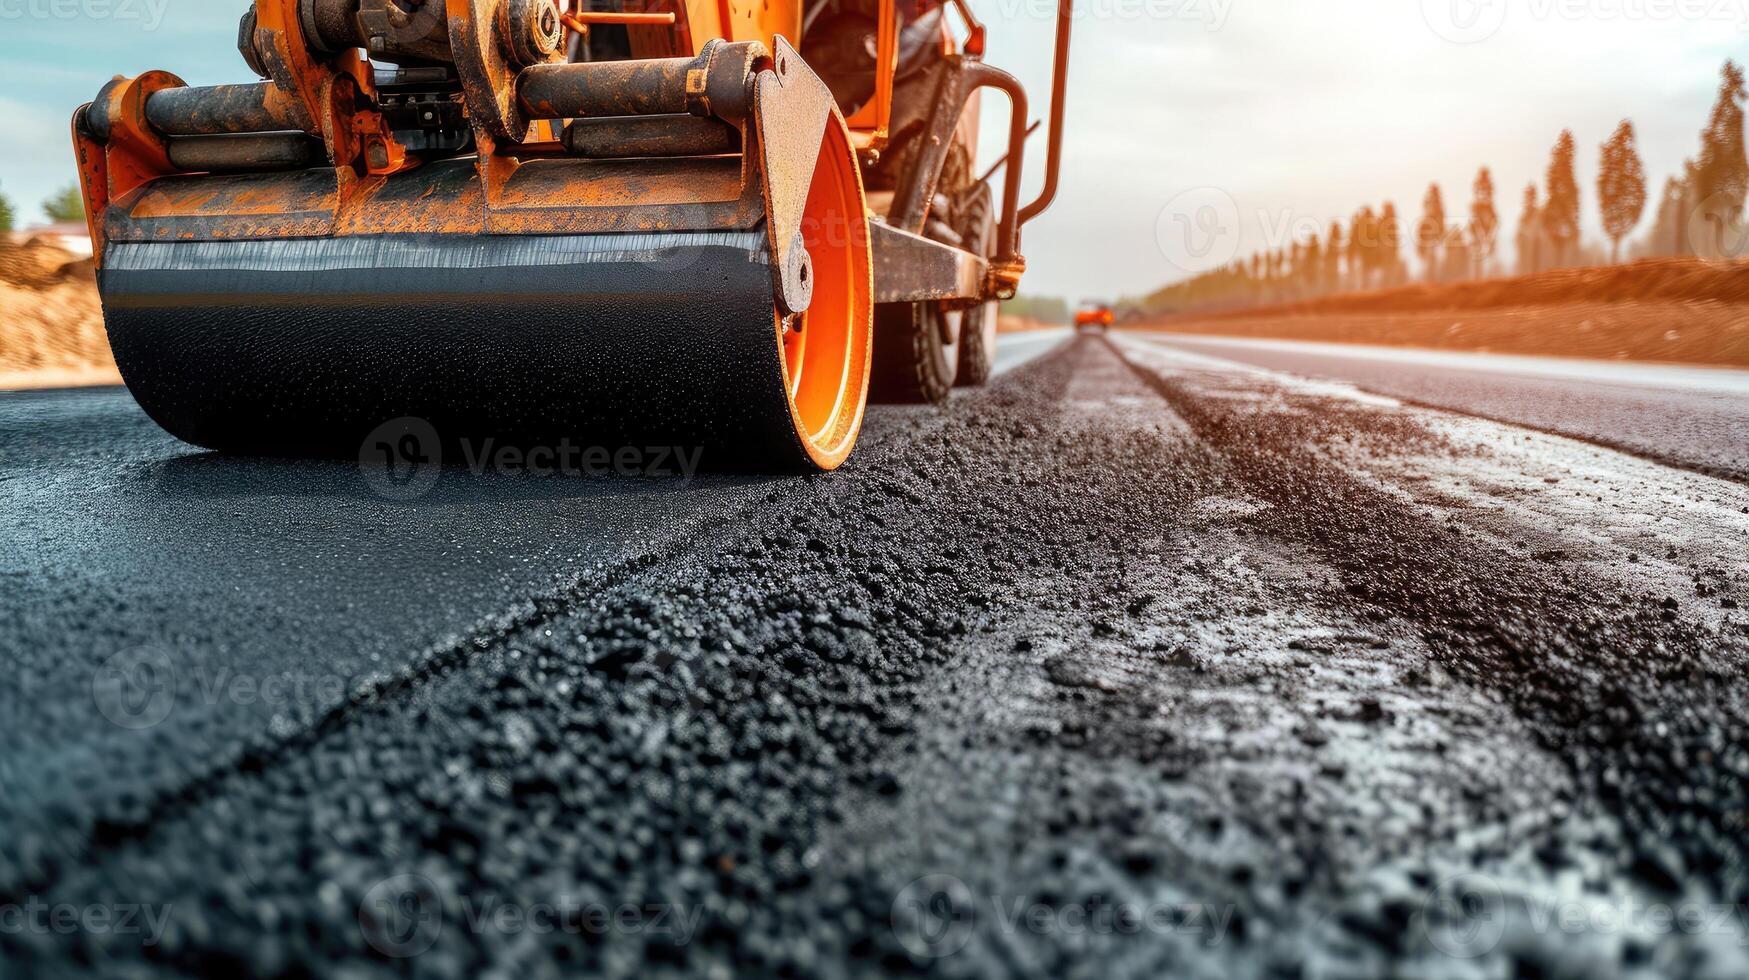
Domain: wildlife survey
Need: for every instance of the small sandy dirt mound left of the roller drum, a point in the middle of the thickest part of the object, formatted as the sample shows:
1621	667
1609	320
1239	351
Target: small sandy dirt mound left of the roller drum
52	326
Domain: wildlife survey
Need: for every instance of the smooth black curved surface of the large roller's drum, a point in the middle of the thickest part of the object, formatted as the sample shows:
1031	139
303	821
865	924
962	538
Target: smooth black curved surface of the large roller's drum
305	347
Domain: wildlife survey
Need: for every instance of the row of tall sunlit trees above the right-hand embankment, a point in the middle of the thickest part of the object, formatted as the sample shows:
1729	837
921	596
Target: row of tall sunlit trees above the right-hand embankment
1701	213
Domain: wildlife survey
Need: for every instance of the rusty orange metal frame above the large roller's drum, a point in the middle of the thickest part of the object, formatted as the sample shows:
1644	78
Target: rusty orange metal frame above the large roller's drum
143	136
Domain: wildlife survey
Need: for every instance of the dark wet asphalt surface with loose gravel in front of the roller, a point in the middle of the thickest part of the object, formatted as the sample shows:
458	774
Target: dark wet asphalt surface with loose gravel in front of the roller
1124	666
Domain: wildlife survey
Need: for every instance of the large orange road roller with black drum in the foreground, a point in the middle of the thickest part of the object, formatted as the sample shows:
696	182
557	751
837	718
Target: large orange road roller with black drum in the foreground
622	223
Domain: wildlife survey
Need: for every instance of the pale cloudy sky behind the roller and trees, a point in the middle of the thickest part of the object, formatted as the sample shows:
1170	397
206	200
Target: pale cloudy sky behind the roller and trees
1197	130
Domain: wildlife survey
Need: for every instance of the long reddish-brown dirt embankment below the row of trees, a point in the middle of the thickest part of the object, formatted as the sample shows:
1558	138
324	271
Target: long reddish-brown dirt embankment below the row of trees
1685	311
